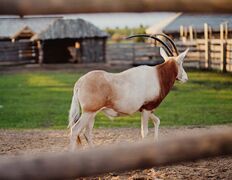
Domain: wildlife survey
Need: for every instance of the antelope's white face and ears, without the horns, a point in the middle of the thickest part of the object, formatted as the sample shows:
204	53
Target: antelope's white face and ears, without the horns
182	75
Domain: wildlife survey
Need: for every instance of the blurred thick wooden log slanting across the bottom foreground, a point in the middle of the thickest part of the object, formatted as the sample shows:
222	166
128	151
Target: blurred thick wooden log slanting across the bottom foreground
117	158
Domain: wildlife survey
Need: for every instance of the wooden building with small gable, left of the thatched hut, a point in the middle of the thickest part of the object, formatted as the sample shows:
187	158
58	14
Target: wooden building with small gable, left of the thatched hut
15	34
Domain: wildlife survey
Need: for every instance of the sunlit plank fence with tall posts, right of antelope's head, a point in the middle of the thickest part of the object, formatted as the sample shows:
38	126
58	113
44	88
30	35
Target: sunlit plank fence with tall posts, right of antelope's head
209	53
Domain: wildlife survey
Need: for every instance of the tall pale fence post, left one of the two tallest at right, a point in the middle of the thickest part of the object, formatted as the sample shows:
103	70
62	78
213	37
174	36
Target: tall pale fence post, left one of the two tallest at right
207	63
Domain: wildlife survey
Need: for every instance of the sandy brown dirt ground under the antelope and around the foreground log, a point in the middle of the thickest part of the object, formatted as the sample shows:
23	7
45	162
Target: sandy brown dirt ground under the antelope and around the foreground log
16	142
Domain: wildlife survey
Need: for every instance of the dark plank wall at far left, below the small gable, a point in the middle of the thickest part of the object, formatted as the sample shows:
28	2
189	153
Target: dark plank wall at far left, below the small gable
18	52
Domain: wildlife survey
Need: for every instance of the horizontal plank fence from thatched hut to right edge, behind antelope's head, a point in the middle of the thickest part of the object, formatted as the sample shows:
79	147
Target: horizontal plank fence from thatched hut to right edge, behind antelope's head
212	54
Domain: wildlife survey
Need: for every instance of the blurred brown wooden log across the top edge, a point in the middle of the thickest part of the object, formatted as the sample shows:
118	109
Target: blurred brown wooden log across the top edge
30	7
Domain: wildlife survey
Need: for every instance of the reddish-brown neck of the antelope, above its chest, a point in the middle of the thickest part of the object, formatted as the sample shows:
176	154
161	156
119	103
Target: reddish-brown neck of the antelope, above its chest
167	73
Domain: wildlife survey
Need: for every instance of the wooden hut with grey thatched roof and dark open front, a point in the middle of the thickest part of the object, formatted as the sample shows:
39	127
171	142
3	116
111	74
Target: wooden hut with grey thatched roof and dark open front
72	39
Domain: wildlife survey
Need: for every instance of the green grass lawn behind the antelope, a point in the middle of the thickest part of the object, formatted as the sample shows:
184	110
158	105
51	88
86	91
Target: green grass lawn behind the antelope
42	100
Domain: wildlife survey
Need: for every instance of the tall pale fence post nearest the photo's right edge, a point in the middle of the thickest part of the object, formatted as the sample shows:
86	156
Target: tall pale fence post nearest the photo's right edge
223	49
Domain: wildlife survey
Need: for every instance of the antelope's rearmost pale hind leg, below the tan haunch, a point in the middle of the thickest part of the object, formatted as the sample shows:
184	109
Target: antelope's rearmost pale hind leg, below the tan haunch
78	127
